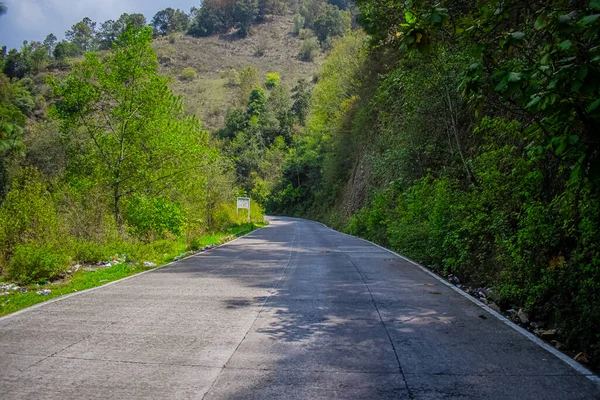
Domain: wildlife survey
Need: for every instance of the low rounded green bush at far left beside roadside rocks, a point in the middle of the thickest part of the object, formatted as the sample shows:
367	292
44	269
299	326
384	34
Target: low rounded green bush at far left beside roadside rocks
34	262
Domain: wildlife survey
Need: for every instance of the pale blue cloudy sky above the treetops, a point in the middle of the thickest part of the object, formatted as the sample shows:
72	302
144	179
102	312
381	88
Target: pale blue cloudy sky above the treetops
35	19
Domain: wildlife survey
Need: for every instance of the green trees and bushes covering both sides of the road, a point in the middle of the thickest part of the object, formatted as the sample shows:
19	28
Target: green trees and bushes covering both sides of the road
461	134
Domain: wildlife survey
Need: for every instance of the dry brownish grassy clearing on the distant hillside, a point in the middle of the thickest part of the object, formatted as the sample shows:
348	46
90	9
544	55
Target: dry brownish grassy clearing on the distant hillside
270	48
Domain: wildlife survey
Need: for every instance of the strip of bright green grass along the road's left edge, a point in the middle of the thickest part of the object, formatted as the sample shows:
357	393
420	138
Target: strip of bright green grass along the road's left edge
84	279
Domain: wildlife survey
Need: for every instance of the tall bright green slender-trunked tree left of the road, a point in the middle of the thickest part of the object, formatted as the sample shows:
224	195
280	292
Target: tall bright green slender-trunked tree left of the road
137	139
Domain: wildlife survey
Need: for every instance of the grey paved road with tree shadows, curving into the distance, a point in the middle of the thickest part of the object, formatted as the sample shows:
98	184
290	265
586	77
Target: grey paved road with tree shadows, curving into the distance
293	311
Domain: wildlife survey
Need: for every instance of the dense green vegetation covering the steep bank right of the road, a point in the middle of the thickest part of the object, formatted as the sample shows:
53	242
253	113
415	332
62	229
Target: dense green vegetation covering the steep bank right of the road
466	138
